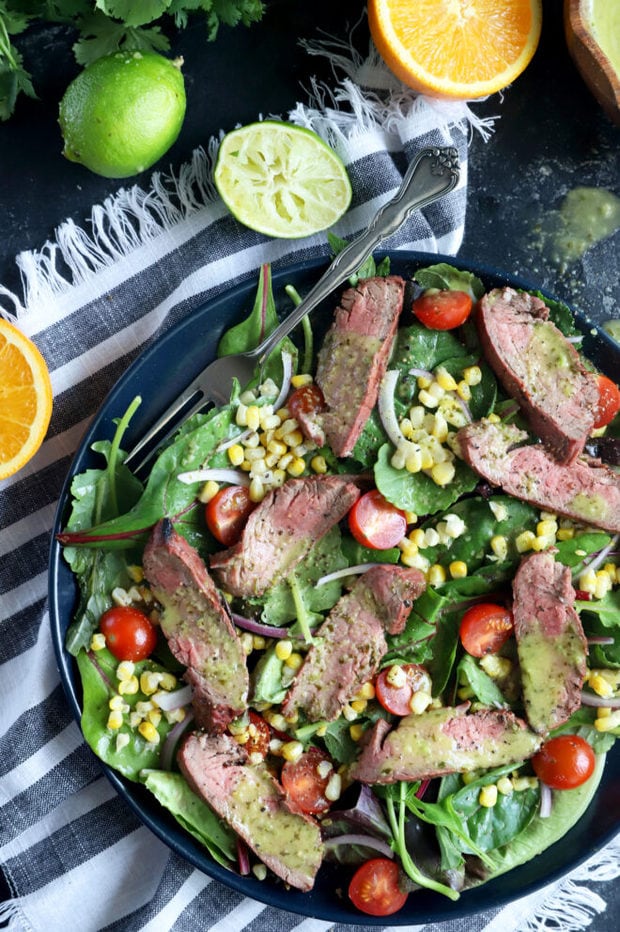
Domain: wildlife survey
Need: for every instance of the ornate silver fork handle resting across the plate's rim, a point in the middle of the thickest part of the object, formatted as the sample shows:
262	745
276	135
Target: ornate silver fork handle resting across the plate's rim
433	173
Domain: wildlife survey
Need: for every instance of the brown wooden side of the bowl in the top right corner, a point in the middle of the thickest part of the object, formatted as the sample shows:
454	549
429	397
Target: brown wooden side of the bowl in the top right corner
596	68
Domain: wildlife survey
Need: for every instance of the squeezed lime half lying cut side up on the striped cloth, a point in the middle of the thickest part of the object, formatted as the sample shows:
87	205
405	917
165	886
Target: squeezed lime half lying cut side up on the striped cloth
281	180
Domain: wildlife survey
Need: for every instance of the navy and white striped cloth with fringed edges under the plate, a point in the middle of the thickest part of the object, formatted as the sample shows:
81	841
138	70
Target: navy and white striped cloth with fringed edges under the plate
72	853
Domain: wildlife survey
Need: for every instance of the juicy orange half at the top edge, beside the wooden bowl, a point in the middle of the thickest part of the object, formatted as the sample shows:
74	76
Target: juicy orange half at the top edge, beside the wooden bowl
459	49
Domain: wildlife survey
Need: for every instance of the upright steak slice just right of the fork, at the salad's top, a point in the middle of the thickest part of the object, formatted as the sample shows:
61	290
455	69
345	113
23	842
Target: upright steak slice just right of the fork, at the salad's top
354	357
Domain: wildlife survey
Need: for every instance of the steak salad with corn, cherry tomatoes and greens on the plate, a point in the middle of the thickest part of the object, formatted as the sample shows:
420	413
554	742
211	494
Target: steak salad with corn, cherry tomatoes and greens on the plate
368	611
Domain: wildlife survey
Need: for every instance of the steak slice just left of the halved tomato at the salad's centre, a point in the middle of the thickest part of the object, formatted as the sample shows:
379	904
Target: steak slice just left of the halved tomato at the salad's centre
281	530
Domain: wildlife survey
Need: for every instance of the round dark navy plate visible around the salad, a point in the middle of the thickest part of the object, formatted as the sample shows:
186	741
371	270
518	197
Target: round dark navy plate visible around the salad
181	353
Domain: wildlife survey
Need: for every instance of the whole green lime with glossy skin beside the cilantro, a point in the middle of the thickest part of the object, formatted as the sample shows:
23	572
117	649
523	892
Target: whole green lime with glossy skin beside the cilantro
123	112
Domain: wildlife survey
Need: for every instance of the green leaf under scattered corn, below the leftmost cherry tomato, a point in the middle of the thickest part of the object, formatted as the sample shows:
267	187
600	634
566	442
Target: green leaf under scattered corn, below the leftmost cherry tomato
98	675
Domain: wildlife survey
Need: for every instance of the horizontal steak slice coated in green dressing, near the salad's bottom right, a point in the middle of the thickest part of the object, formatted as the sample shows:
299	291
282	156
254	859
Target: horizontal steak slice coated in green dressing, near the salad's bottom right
443	740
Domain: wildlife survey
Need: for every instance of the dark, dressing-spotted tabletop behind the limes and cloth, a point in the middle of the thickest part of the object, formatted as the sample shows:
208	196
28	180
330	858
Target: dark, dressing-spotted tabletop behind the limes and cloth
551	136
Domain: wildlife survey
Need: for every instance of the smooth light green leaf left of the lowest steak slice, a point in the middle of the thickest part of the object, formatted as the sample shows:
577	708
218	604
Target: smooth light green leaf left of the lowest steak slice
194	815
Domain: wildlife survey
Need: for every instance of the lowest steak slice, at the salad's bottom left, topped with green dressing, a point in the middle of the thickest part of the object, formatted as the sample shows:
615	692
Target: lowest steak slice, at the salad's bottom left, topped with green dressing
251	801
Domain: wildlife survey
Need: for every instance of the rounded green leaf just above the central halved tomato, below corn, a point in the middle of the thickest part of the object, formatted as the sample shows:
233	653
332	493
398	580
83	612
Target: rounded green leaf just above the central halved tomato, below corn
416	491
